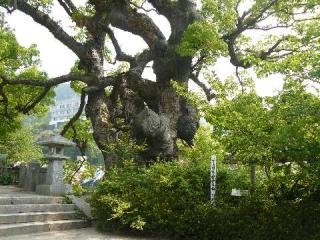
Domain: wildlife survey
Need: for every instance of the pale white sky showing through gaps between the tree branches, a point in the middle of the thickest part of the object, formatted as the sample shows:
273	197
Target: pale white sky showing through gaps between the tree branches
56	59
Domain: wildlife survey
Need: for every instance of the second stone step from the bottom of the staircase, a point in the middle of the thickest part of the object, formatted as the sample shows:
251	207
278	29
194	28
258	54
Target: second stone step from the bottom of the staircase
12	218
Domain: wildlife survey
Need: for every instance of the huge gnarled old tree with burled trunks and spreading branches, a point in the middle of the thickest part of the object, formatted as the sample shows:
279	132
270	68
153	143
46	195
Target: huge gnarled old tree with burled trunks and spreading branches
201	32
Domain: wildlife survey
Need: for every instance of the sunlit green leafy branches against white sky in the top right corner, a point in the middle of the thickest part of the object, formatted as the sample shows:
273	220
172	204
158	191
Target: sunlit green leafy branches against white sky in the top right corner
253	29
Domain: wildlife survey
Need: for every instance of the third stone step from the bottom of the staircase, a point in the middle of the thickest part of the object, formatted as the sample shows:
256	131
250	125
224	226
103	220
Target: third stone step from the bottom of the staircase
25	208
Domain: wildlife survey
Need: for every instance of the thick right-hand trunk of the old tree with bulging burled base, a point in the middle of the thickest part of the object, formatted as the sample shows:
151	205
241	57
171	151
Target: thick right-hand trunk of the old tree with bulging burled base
173	117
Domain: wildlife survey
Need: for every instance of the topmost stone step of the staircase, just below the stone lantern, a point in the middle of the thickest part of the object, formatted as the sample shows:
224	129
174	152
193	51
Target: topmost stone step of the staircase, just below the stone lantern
30	200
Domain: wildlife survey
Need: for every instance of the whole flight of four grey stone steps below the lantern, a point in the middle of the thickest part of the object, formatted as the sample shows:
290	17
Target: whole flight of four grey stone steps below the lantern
29	213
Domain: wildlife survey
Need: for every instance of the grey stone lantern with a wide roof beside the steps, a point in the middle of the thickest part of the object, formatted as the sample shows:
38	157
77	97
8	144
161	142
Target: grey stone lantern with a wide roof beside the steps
55	156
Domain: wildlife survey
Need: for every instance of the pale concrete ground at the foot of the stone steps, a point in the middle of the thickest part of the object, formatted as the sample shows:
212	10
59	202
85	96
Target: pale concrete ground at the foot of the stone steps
78	234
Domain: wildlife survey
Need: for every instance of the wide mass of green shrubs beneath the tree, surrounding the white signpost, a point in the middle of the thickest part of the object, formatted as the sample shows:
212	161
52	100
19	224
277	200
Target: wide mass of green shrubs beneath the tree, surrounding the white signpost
173	199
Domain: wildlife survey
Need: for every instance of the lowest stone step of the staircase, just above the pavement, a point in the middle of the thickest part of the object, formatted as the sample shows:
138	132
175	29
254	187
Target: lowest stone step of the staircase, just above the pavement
36	227
